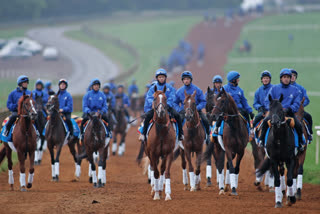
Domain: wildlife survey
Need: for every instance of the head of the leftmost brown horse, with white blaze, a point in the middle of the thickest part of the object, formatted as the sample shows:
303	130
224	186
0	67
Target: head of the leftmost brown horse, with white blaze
26	107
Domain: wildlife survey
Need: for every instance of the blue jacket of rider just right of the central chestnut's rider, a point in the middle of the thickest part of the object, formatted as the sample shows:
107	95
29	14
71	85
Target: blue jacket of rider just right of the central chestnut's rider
200	98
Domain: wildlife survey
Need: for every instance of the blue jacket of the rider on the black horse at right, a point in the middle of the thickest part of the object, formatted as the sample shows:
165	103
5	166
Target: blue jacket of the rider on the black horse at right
291	96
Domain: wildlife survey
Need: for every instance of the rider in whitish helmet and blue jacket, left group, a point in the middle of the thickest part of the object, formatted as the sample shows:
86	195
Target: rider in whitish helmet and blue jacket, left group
66	104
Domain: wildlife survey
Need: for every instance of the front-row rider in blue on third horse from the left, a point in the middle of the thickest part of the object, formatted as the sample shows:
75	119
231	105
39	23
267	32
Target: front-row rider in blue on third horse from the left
93	101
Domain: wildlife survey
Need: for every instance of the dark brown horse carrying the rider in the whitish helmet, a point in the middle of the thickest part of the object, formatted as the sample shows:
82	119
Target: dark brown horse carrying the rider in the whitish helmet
55	135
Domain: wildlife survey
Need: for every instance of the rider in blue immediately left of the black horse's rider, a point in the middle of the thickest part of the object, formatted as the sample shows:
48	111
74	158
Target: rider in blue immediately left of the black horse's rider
260	96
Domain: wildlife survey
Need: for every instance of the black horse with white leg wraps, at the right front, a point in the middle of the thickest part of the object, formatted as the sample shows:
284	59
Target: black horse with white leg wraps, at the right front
280	149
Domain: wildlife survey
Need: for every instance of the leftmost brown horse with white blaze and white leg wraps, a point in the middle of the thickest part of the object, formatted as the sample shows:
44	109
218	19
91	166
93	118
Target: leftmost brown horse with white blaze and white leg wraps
24	139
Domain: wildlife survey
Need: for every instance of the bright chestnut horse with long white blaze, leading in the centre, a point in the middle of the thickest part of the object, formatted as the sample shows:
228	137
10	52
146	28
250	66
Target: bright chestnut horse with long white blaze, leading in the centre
160	144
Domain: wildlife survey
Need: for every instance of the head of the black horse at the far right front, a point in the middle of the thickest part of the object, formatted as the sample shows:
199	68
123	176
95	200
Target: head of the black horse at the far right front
276	111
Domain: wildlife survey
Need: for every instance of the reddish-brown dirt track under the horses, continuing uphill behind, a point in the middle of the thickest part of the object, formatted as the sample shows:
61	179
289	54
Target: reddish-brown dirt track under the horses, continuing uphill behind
127	190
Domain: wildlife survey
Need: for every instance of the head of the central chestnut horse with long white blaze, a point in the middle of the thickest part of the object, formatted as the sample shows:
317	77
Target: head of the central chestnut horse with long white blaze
160	102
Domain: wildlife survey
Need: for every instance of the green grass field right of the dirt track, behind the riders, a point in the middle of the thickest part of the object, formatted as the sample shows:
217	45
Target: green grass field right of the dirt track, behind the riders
275	44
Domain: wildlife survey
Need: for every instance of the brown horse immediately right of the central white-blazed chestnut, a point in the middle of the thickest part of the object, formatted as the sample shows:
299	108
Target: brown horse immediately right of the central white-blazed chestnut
193	142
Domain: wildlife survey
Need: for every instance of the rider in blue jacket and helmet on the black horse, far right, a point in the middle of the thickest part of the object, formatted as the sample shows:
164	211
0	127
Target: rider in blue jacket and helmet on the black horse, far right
290	103
